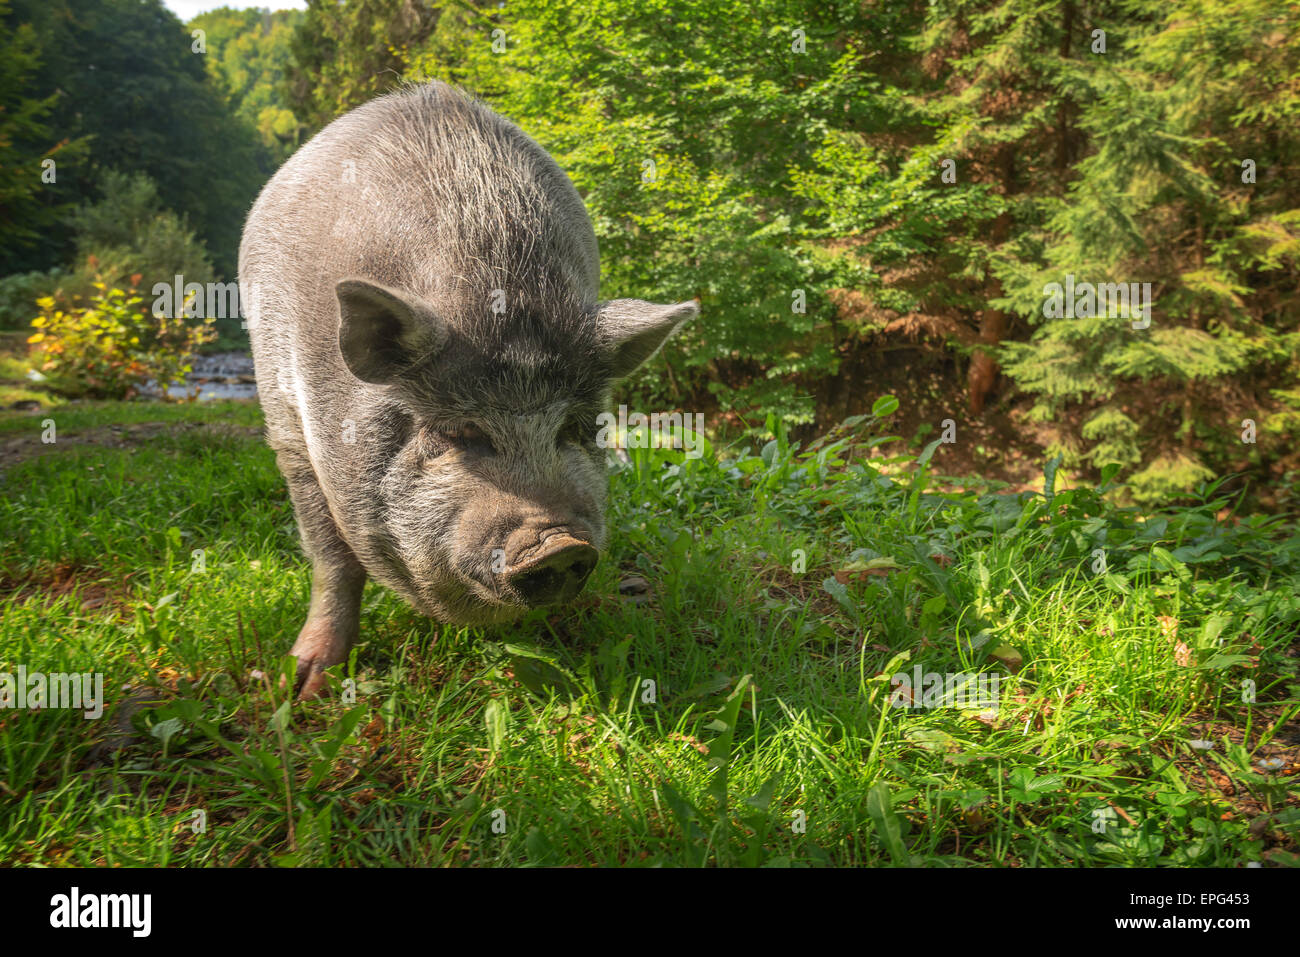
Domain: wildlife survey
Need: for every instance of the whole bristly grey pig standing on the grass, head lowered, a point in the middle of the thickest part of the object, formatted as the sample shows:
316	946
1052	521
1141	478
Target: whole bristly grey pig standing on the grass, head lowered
421	287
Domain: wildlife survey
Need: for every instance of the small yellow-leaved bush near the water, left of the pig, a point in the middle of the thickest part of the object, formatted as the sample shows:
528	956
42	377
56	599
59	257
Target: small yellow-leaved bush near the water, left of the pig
112	345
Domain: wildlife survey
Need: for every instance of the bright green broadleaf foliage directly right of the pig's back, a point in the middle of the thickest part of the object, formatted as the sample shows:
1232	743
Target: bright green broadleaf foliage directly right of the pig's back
669	119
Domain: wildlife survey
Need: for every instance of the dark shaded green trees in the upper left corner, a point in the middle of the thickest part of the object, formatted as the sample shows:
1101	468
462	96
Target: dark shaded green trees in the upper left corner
129	80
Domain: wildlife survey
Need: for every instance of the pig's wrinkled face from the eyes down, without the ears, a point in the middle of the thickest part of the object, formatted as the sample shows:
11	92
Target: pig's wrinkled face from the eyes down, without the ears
497	510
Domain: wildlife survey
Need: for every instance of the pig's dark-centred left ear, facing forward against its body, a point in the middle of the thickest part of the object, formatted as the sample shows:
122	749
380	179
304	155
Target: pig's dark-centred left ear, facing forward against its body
384	332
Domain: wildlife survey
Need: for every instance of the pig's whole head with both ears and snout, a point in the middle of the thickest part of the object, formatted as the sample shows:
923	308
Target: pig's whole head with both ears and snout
495	499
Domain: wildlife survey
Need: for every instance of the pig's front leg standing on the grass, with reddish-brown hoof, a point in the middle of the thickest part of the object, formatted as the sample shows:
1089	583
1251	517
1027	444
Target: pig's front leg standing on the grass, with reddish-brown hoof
335	617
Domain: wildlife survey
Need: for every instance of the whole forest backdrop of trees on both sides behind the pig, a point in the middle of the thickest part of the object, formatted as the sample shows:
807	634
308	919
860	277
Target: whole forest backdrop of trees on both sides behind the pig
865	198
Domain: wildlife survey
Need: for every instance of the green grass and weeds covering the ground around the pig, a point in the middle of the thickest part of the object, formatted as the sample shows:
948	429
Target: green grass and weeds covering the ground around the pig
738	716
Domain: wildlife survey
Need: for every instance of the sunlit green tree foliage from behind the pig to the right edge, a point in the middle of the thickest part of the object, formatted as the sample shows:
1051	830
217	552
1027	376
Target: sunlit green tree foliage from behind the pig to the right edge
926	170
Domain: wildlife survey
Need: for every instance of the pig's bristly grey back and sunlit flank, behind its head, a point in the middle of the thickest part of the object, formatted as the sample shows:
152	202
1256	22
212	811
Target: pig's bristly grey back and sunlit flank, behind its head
426	190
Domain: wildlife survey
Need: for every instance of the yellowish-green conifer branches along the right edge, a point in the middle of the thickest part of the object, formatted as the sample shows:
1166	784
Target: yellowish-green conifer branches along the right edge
1182	98
